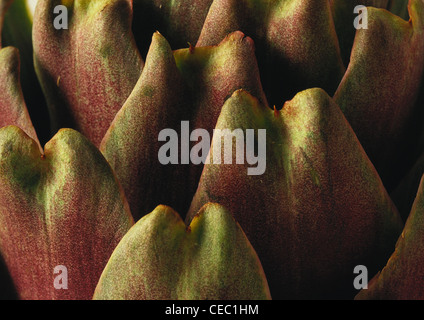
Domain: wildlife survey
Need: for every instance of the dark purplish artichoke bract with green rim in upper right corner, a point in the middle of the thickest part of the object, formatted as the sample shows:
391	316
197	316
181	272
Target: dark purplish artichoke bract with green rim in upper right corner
380	110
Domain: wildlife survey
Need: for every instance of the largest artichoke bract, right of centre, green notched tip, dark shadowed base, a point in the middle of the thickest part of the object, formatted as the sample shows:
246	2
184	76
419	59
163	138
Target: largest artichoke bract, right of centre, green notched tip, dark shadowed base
319	201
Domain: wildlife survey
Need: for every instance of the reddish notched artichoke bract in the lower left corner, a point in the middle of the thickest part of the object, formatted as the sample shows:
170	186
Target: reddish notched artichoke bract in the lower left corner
64	207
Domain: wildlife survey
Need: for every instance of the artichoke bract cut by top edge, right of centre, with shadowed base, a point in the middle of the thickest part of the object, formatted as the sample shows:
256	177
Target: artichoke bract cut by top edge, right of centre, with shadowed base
287	64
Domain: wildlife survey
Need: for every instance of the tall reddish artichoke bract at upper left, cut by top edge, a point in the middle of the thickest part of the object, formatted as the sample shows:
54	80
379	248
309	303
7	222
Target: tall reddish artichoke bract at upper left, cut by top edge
88	70
